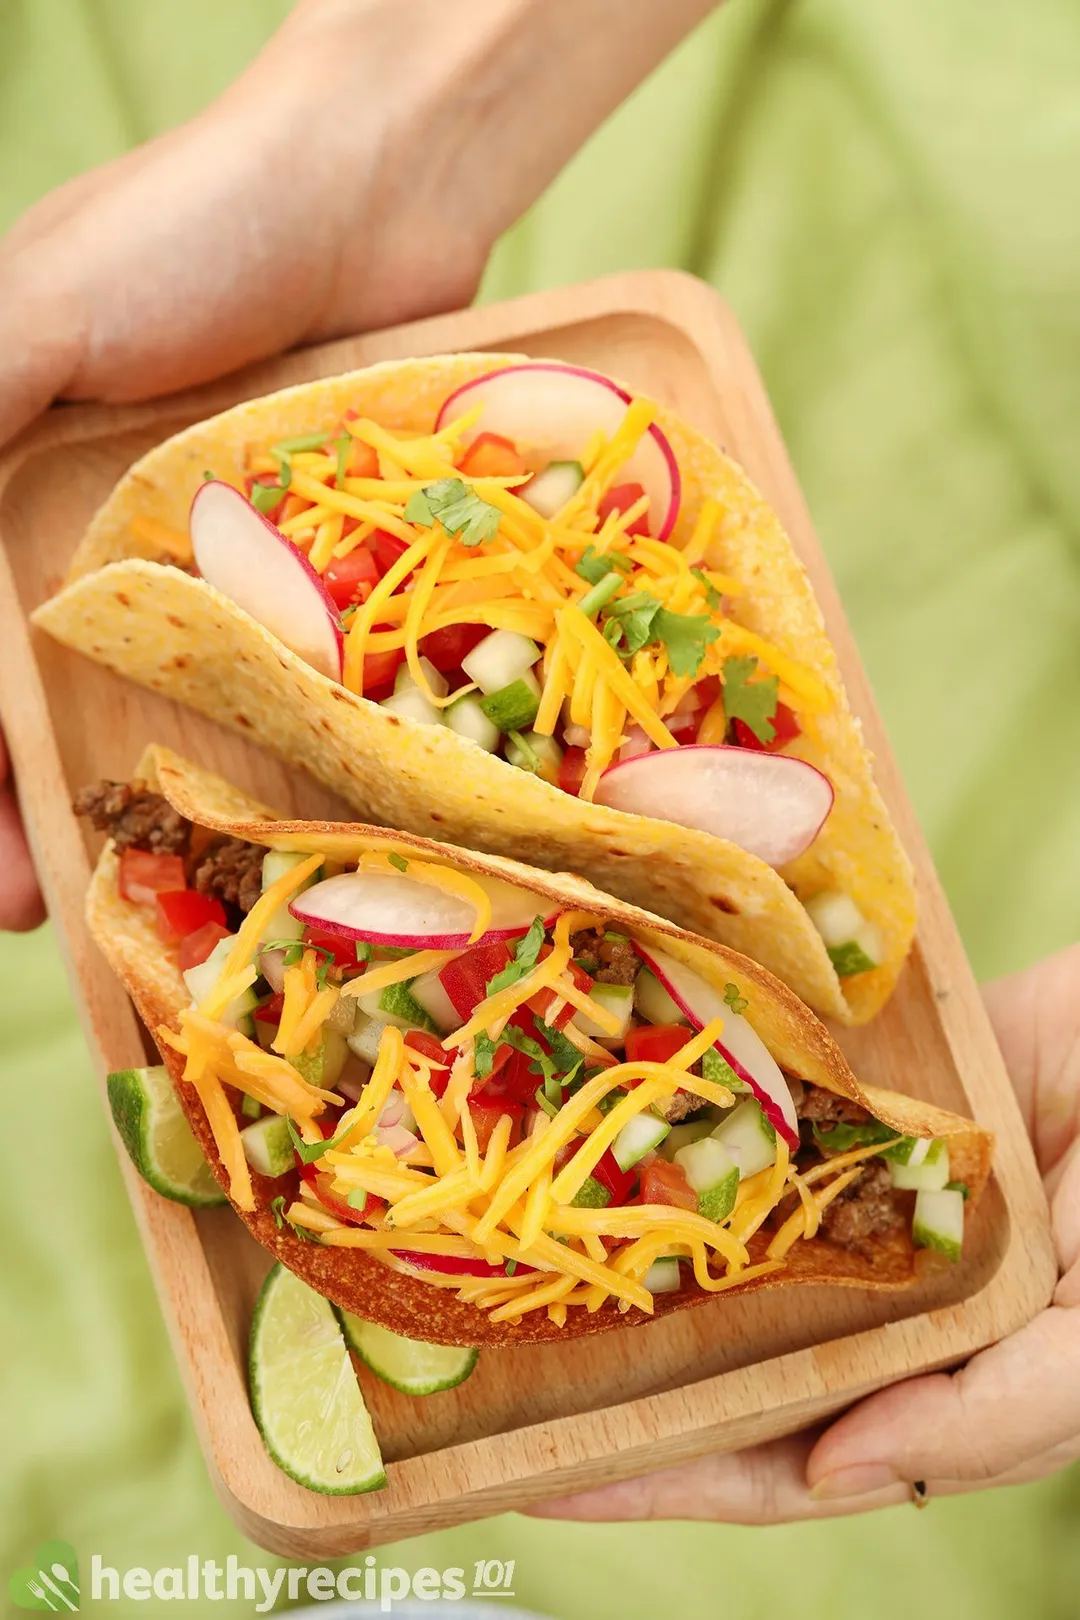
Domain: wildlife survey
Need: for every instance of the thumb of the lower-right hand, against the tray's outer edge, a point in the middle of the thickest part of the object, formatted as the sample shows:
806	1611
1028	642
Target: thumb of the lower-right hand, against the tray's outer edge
1013	1413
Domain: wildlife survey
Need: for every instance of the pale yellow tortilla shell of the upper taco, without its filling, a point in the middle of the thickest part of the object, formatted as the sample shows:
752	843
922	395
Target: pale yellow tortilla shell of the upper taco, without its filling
179	636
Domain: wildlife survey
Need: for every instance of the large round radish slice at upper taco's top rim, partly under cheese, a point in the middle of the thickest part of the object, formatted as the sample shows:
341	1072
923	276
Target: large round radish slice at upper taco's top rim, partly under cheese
553	412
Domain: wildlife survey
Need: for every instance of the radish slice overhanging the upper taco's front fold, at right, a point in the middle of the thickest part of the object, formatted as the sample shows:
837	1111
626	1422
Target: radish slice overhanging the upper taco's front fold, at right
768	804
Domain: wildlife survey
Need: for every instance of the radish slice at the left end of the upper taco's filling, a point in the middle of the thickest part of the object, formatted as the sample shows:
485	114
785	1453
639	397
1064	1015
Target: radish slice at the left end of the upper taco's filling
242	555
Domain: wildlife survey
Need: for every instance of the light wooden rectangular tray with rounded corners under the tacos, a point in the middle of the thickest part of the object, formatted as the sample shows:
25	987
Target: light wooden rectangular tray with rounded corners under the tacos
534	1422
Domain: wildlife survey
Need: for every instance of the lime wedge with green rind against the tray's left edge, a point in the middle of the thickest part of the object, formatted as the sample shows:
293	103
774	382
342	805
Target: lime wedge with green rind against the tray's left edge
159	1140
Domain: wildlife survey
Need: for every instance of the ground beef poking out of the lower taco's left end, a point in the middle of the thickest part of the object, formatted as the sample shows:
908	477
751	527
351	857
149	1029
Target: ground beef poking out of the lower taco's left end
138	819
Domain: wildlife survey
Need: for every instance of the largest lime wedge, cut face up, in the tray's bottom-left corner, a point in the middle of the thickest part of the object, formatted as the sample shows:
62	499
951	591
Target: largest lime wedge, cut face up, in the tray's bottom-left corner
305	1396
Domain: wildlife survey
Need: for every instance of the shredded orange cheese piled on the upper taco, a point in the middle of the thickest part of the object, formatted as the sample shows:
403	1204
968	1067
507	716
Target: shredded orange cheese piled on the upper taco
525	581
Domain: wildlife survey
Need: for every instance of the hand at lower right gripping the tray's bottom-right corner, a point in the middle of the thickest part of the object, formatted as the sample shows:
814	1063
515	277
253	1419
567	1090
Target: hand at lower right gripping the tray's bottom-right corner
1013	1415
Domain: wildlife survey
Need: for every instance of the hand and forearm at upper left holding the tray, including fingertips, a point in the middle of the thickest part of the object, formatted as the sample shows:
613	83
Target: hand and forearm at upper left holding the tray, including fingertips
357	176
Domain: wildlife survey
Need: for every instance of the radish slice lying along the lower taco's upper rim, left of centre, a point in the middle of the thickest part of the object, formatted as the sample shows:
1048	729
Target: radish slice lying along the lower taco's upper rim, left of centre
389	908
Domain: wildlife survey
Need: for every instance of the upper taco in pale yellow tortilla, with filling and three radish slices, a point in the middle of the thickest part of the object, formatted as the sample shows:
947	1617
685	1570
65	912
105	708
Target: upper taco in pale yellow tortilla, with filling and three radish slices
511	605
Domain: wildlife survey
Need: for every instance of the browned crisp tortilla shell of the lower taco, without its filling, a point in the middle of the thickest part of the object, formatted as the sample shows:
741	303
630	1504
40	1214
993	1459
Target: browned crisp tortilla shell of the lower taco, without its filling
398	1300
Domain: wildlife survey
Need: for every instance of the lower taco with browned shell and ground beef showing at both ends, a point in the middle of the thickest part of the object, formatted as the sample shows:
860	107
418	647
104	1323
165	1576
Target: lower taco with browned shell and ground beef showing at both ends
480	1104
